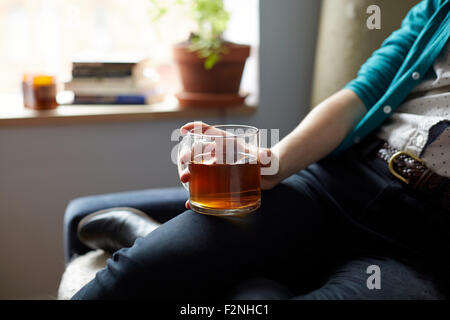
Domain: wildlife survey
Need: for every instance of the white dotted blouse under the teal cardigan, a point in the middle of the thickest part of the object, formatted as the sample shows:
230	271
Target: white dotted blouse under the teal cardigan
421	125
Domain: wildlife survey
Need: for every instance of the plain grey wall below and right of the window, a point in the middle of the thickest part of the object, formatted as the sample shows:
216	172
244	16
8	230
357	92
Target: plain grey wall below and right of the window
42	168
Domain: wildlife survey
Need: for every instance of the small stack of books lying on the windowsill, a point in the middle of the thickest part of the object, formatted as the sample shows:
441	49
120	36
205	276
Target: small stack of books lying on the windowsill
113	81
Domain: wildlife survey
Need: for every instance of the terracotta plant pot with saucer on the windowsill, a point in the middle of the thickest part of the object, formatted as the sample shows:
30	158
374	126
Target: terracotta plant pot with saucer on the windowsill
218	86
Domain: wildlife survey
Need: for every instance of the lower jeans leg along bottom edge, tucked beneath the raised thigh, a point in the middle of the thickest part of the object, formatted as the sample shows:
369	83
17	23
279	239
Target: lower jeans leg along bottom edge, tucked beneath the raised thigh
348	281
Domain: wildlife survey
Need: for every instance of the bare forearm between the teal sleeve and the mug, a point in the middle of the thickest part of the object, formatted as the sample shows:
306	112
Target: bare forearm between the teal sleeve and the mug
320	132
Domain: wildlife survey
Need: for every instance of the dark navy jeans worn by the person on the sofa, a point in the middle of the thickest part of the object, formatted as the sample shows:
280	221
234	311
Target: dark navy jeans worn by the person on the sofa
314	237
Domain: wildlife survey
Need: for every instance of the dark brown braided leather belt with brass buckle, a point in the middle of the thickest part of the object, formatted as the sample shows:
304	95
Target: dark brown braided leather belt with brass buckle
412	171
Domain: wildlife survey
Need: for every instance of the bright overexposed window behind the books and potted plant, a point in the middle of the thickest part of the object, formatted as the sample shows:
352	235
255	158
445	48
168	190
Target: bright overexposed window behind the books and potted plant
44	35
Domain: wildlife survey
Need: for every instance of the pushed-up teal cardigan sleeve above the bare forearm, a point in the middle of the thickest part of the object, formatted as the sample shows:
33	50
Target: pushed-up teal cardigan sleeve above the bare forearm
379	70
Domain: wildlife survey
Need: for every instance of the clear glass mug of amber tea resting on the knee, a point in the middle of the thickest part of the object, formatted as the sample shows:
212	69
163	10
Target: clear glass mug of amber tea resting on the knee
224	166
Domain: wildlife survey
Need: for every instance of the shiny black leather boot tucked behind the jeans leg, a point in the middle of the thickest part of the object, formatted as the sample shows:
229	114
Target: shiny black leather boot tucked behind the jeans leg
114	228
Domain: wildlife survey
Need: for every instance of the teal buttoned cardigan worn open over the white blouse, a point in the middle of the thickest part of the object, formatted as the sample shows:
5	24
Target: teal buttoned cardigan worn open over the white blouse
393	70
